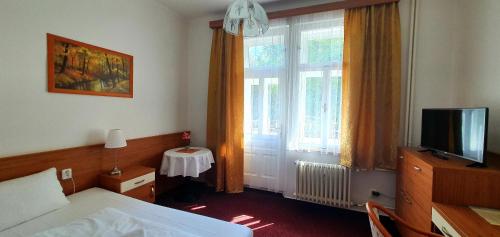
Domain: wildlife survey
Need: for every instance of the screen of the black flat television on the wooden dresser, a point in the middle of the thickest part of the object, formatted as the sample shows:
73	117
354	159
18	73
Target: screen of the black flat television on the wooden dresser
460	132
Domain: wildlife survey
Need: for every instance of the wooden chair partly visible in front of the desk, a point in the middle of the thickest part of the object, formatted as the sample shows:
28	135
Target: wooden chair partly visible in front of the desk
378	230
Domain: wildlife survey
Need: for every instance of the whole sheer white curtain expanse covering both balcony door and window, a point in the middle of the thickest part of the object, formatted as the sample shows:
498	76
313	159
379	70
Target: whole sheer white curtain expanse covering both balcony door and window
292	94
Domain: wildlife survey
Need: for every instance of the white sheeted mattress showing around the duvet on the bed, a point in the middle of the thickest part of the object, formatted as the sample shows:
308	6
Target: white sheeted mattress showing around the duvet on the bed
92	200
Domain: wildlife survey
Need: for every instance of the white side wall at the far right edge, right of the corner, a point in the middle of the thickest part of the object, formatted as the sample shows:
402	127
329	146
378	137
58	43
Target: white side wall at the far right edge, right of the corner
478	55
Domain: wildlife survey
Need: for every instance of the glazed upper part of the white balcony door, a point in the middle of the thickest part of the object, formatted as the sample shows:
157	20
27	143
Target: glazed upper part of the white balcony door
265	65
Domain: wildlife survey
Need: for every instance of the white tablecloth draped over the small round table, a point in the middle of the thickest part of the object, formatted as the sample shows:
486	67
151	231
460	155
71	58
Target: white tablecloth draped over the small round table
178	163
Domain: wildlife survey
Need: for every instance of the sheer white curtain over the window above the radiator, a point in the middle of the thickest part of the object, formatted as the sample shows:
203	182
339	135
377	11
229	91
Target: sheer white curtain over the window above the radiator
316	83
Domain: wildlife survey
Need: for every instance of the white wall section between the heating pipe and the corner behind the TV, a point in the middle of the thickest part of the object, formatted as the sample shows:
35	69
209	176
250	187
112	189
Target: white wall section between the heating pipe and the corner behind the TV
435	64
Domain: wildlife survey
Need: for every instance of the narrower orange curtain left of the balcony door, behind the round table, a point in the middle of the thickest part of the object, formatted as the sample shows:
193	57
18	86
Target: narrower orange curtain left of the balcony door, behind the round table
225	110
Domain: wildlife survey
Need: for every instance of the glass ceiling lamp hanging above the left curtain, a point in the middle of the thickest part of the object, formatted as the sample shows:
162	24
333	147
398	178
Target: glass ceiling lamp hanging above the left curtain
253	15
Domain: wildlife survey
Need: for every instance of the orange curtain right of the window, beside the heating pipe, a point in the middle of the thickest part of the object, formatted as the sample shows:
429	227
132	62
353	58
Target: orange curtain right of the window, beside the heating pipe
371	87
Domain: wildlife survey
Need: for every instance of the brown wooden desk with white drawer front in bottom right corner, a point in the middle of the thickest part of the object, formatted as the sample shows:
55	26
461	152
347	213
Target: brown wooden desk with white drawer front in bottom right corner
454	221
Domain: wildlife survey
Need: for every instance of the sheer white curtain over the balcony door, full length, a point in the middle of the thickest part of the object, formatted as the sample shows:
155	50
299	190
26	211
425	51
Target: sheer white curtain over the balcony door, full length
265	76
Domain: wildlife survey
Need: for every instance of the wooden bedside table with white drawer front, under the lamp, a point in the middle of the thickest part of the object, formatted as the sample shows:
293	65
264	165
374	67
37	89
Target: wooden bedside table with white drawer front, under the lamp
137	182
